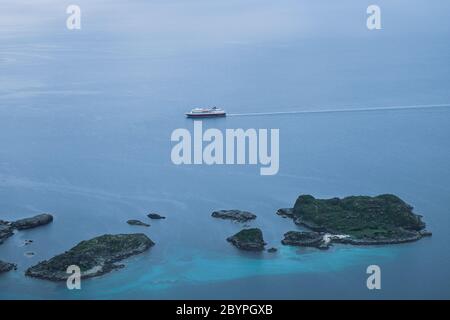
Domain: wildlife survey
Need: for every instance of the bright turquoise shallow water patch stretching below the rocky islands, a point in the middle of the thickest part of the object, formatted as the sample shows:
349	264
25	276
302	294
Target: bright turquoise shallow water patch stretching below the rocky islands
200	268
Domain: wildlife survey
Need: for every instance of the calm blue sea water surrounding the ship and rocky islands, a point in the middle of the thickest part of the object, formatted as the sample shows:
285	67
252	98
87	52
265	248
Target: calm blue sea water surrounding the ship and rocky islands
86	118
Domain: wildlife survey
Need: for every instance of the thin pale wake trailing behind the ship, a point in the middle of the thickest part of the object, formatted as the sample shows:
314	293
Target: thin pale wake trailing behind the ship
424	106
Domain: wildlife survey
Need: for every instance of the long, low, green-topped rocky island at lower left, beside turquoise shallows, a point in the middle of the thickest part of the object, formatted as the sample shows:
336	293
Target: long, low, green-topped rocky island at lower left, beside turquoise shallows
94	257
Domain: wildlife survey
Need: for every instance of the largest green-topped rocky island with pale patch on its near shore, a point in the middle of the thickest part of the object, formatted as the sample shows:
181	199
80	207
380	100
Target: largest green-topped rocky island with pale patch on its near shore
361	220
